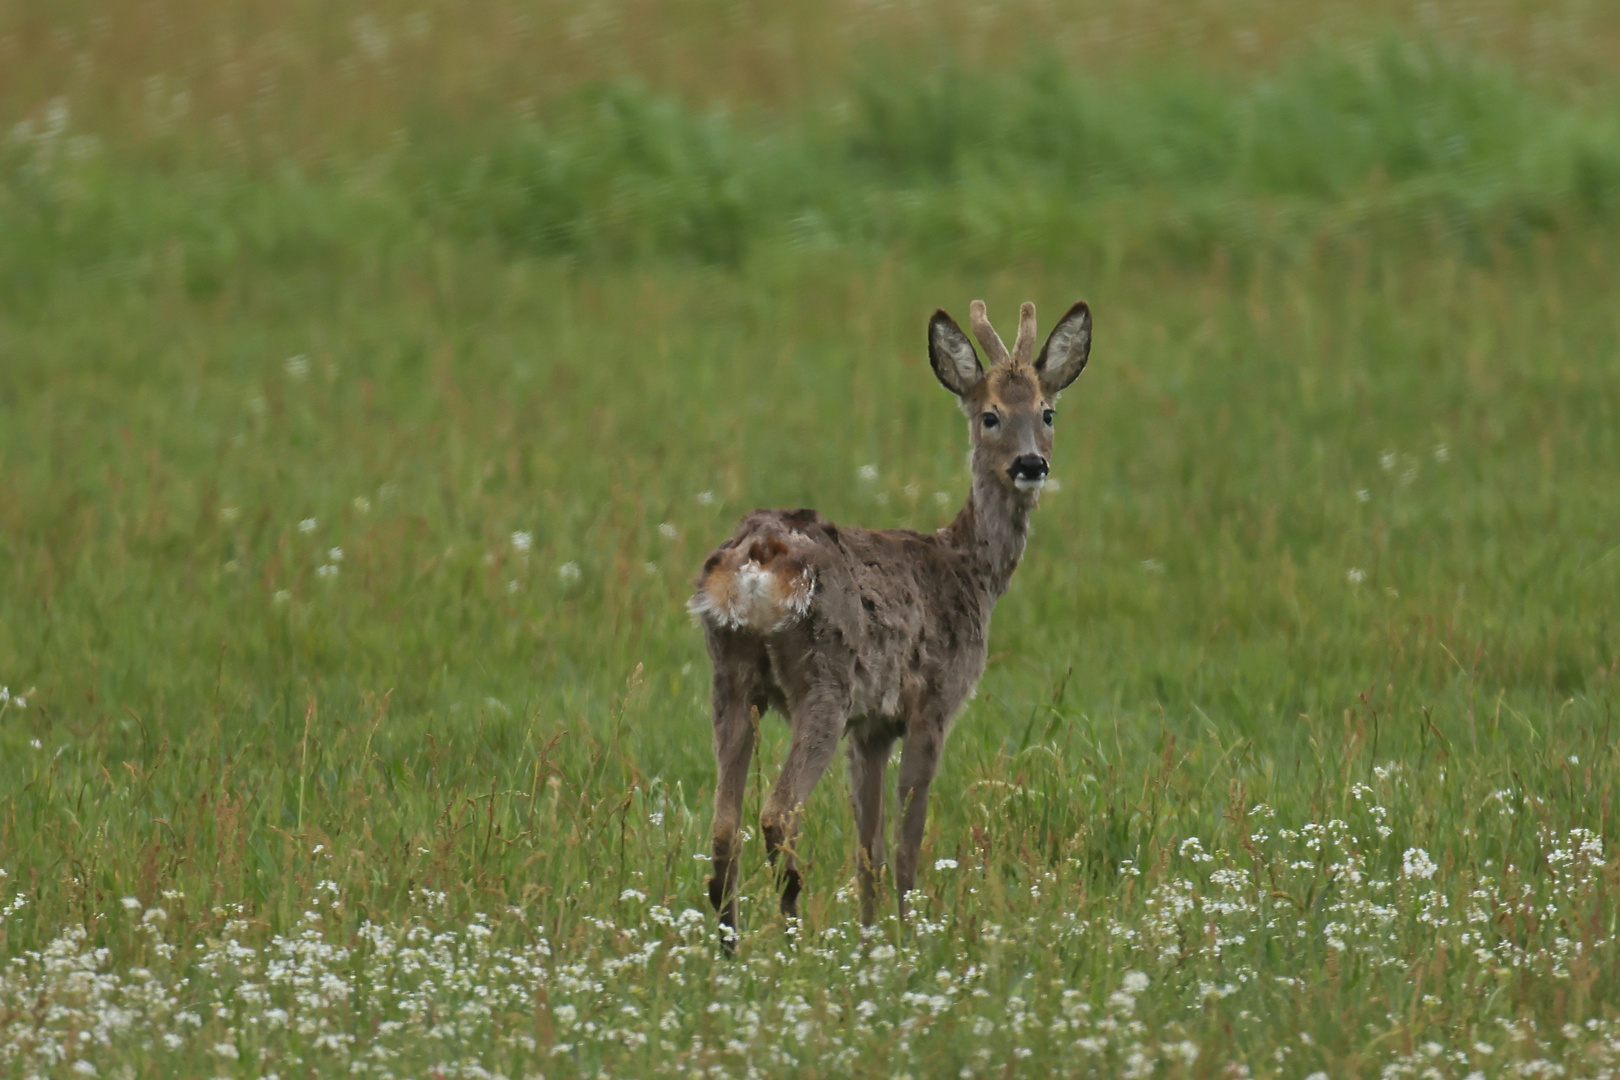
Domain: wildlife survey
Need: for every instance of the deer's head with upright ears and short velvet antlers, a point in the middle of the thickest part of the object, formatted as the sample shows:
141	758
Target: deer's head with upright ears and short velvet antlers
1010	407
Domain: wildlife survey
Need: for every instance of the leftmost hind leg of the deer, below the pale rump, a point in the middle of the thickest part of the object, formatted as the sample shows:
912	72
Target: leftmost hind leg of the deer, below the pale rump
738	705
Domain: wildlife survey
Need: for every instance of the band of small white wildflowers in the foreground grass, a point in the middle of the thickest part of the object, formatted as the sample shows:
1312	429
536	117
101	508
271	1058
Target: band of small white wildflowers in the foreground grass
1183	964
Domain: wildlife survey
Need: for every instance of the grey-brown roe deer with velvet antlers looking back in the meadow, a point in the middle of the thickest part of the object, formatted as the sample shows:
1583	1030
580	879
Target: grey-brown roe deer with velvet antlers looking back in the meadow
877	634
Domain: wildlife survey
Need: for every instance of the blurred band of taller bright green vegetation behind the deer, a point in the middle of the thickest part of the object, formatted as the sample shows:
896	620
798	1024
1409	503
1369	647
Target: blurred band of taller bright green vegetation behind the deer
1034	163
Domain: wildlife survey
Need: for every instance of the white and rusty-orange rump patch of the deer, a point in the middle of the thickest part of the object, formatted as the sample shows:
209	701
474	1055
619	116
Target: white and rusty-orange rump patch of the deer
761	582
